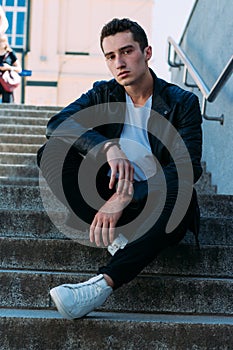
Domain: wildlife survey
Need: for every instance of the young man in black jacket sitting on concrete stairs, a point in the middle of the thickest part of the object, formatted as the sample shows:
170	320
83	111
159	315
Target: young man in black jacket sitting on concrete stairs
127	126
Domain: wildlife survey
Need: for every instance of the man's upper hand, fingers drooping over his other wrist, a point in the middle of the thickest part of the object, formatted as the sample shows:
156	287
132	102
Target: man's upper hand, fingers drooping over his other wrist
120	165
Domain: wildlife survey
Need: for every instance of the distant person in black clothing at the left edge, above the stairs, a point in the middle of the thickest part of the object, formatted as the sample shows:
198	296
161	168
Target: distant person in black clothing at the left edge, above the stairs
8	61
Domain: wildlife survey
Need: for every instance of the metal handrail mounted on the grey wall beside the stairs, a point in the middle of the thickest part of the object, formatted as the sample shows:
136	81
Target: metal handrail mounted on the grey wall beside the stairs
209	95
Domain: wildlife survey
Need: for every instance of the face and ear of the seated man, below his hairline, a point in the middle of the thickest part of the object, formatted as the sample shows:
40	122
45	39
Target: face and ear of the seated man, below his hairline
125	60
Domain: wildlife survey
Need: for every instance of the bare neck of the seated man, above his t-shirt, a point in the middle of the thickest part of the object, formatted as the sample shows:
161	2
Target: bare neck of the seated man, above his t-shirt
140	93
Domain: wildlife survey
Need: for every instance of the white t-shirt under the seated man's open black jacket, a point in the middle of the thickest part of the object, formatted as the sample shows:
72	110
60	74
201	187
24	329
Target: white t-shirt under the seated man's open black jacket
134	140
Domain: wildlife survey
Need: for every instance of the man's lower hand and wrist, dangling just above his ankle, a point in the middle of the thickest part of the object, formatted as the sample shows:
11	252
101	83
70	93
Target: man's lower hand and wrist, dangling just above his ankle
105	220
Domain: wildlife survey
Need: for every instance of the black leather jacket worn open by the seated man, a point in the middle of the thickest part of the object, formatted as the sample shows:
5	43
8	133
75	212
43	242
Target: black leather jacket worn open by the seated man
105	121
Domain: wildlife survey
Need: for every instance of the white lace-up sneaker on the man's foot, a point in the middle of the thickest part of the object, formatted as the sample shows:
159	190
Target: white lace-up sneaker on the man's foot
77	300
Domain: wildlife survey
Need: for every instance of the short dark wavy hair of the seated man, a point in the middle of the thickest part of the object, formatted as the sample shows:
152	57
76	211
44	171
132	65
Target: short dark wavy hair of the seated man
122	25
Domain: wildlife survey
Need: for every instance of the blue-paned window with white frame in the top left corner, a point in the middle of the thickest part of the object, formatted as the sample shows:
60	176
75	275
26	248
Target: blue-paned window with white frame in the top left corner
16	13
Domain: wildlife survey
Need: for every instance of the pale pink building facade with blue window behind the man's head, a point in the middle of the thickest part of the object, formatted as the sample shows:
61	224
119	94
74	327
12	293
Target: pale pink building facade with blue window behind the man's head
58	40
